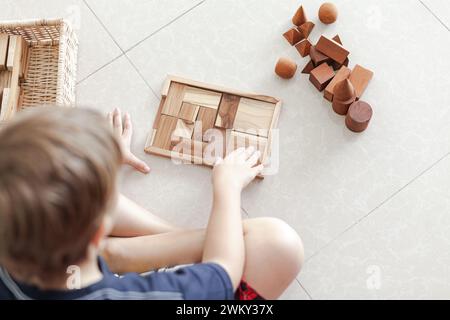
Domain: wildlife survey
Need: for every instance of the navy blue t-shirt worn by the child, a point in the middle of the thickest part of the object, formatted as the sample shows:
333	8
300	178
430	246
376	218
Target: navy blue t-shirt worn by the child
196	282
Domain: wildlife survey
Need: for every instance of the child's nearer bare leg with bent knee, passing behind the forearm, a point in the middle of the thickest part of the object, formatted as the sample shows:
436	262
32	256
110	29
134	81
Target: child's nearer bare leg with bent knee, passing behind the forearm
274	253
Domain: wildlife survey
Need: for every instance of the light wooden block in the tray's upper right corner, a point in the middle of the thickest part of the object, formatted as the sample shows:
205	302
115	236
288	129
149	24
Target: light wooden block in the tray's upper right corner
254	115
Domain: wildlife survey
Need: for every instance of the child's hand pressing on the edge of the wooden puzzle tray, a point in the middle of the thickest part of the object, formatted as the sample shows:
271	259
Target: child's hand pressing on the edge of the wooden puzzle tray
237	170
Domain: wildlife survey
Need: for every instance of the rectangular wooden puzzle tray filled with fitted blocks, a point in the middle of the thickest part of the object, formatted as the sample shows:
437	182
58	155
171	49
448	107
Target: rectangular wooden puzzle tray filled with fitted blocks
198	122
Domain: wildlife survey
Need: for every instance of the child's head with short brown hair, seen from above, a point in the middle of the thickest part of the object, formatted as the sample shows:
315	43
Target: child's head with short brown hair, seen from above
58	170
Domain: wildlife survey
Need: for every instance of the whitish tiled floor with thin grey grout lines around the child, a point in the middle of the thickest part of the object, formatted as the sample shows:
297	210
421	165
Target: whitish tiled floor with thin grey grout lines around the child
373	209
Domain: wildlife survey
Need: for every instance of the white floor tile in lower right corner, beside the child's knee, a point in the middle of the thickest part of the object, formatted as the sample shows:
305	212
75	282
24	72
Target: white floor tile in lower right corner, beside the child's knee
399	252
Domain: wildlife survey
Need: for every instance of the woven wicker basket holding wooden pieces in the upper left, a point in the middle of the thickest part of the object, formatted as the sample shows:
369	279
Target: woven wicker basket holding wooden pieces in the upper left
53	47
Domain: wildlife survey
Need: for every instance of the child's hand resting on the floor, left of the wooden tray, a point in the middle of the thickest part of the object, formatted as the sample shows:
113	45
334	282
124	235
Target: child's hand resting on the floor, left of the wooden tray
124	130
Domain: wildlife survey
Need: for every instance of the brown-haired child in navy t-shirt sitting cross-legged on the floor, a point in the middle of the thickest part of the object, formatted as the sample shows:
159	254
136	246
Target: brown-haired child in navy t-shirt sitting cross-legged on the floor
59	203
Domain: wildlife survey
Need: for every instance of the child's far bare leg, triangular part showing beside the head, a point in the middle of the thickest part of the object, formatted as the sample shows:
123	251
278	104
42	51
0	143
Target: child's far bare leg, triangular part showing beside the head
131	220
